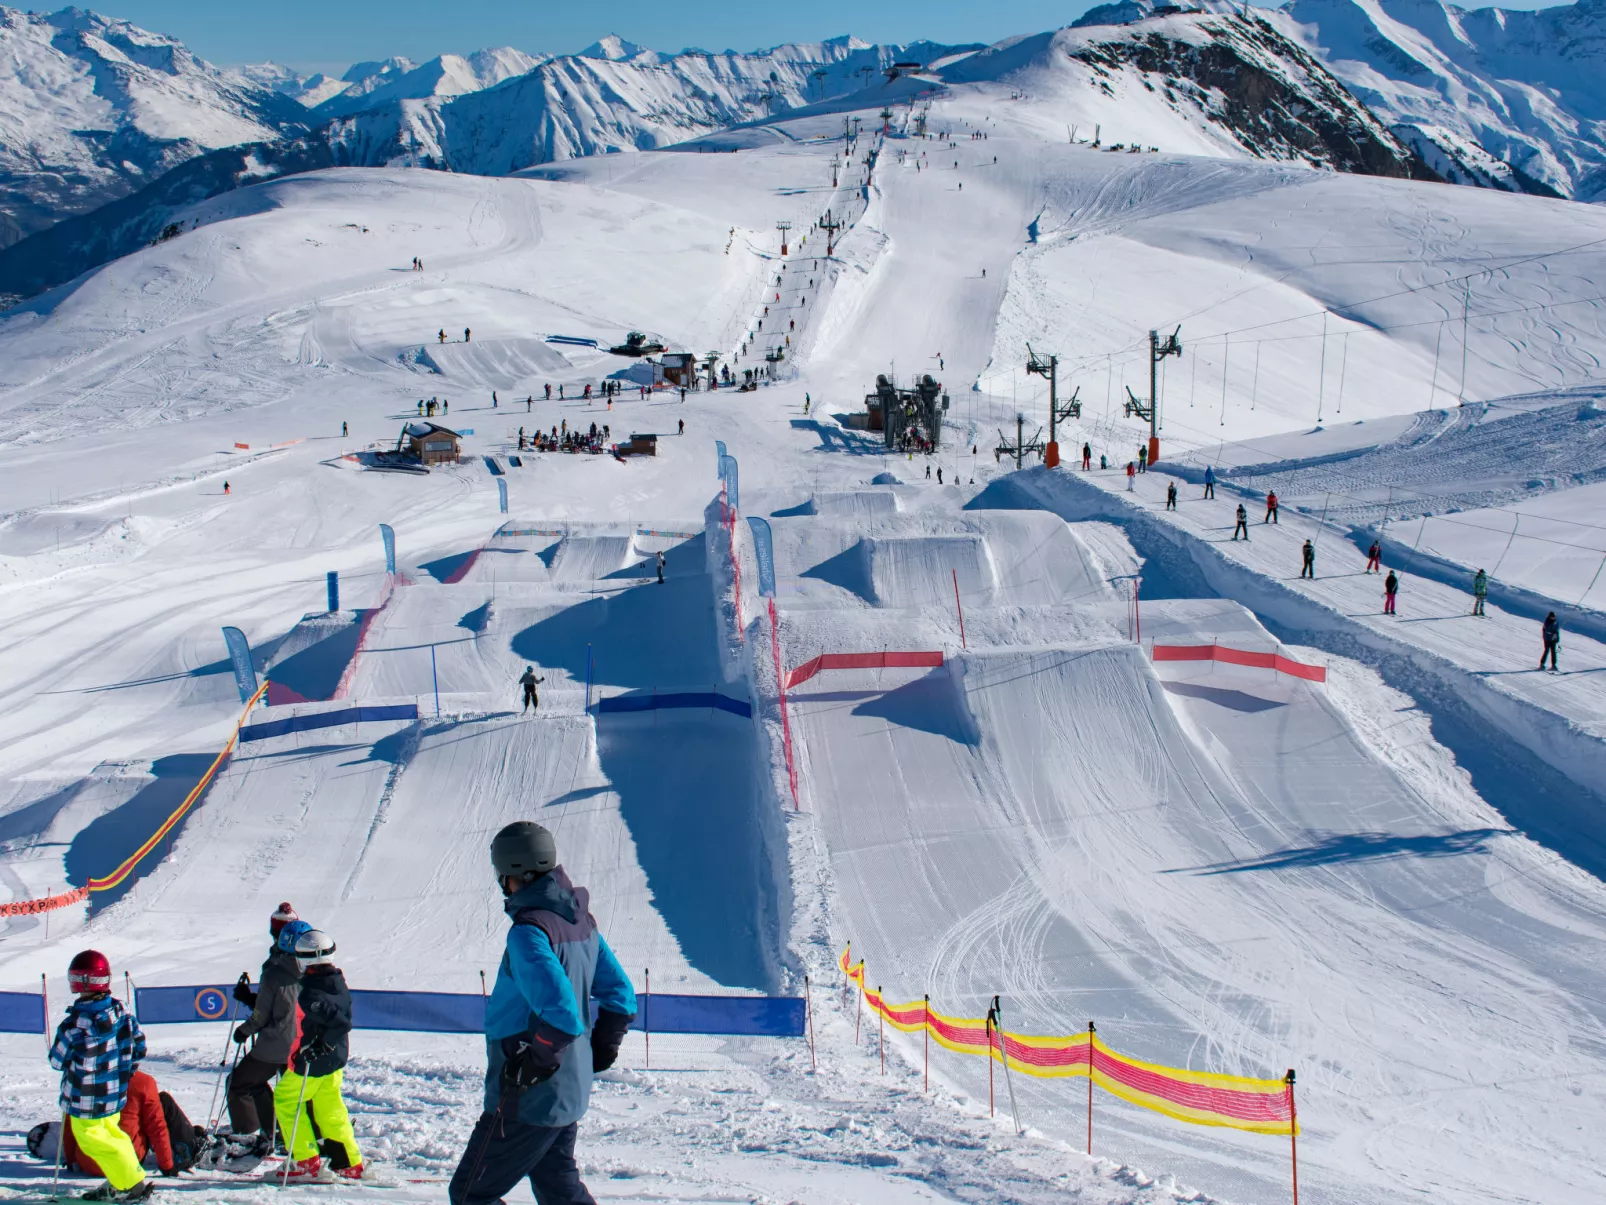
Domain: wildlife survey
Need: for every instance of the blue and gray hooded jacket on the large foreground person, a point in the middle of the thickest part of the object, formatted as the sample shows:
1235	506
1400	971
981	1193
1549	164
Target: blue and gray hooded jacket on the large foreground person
556	965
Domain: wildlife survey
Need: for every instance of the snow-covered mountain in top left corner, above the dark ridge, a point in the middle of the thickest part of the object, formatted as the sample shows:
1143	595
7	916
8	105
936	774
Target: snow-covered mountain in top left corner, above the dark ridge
94	108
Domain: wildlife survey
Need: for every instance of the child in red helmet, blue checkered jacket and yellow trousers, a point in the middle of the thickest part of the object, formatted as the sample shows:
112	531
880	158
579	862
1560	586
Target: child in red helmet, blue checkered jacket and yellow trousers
97	1050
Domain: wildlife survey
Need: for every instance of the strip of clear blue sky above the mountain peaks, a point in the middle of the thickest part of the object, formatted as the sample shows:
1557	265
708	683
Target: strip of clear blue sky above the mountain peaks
330	35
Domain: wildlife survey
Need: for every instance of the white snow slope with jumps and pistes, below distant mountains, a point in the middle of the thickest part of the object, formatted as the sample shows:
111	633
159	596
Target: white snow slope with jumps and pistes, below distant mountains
1390	881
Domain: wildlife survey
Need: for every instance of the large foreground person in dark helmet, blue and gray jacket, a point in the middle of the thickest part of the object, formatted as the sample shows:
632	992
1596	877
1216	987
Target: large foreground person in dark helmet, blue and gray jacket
537	1089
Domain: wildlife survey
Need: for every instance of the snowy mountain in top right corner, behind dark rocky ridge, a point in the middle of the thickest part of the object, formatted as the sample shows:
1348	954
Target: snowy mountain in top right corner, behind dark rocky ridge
1490	97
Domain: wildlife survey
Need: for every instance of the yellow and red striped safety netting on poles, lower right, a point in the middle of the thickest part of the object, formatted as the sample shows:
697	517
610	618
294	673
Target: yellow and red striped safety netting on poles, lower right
1202	1098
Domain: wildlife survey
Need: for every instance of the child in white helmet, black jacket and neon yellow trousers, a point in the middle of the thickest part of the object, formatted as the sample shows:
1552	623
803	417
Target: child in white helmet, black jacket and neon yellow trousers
312	1085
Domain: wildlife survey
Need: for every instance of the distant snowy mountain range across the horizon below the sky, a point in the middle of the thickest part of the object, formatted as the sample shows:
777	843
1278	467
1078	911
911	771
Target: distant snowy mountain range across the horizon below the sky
107	131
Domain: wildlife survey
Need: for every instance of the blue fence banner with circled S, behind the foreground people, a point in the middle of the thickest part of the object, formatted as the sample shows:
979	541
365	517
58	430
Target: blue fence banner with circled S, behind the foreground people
463	1013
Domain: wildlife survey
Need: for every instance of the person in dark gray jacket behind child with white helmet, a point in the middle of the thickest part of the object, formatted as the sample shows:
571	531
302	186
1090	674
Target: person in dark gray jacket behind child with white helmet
272	1023
